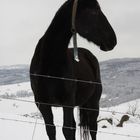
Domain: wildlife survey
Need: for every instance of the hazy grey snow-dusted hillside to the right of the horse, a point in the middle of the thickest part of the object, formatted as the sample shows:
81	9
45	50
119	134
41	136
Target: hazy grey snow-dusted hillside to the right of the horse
121	80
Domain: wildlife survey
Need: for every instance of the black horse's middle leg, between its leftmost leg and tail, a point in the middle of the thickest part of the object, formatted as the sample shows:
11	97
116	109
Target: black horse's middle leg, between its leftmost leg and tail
69	126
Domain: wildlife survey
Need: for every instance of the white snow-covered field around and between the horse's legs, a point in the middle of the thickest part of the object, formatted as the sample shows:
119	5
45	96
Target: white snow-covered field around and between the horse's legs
17	118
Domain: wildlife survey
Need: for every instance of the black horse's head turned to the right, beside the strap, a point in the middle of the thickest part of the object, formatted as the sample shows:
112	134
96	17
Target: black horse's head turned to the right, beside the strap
92	24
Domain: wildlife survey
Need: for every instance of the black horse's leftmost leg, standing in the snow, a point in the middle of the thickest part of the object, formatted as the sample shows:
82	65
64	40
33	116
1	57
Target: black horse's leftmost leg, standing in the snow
46	112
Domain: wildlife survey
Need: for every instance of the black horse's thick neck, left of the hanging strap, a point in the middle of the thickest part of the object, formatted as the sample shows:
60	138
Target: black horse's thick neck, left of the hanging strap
51	52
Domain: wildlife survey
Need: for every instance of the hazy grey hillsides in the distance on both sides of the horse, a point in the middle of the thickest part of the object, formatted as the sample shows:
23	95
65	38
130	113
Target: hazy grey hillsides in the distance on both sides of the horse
120	78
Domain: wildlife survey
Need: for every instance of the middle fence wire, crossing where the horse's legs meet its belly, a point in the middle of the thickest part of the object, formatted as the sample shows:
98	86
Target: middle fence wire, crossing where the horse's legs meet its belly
67	106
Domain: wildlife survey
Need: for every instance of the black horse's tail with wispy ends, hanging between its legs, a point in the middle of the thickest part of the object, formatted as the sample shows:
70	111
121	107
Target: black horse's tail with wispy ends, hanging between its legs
84	124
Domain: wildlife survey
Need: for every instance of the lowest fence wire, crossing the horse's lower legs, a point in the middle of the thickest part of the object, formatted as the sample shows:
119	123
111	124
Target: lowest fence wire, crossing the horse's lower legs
72	128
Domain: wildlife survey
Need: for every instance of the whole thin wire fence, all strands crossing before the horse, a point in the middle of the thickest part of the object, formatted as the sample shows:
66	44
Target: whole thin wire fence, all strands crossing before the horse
56	105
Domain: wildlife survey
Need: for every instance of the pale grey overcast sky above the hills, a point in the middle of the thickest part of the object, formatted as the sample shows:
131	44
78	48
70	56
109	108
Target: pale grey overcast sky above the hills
23	22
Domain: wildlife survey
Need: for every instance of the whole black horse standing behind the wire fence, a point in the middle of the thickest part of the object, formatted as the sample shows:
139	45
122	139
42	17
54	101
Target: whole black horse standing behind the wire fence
53	59
